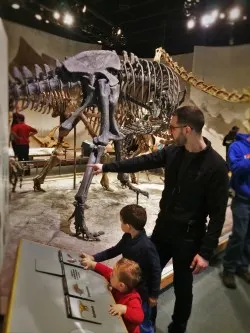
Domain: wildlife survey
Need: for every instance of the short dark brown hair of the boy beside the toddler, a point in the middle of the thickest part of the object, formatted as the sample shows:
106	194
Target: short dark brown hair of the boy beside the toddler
134	215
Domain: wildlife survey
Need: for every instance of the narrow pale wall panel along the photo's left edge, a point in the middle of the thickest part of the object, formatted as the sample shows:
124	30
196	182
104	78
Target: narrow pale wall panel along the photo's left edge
4	138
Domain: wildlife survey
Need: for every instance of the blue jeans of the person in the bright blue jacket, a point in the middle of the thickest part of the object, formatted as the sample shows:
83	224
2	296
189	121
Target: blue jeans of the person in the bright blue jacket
237	256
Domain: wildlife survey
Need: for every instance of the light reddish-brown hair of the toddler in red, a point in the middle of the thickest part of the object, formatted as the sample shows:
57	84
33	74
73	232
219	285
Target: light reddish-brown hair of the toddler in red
129	272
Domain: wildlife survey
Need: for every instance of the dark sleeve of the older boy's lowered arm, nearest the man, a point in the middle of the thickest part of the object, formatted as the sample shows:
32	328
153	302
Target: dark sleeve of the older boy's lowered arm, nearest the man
155	272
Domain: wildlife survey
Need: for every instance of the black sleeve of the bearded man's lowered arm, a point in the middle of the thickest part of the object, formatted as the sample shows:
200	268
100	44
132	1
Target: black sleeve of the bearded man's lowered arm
217	198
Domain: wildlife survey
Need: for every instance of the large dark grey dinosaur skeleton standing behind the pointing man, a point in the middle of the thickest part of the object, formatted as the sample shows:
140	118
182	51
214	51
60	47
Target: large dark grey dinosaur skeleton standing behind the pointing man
143	88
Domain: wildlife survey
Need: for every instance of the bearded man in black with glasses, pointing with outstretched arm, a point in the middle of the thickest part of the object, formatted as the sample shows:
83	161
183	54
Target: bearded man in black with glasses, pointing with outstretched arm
196	187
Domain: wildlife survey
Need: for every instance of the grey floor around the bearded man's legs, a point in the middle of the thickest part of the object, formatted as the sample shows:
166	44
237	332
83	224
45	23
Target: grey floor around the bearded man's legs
216	309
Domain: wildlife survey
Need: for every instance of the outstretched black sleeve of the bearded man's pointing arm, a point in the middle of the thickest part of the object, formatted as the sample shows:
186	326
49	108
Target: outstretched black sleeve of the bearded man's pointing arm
143	162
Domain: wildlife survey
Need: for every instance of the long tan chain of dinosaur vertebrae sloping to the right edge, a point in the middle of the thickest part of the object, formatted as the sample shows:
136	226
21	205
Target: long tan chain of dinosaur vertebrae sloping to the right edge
190	78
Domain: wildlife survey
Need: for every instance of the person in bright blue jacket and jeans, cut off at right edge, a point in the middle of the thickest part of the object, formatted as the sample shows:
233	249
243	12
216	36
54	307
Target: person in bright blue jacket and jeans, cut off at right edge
237	256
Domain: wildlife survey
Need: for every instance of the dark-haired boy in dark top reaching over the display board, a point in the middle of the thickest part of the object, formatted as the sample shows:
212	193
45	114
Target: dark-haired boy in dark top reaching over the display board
135	245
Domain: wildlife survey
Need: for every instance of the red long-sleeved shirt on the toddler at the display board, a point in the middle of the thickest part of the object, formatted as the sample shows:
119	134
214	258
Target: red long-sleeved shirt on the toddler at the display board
134	315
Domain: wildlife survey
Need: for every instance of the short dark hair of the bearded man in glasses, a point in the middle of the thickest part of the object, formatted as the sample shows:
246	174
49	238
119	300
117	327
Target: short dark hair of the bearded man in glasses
190	116
